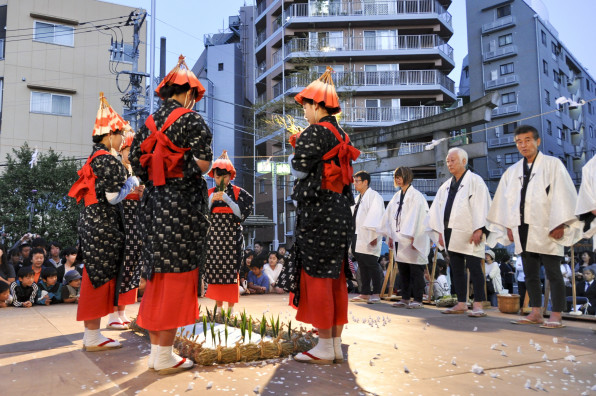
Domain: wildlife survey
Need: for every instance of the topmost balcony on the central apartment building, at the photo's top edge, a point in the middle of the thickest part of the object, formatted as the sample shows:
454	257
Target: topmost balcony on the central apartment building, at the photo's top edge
370	8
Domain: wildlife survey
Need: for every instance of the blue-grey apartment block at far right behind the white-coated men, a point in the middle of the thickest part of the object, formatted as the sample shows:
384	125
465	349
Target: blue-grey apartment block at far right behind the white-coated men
513	49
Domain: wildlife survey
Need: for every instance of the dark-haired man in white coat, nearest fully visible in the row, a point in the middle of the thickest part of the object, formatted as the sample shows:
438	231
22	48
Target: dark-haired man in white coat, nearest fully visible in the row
534	207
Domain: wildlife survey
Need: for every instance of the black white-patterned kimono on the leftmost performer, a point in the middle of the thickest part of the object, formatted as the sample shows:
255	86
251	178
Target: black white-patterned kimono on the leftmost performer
100	226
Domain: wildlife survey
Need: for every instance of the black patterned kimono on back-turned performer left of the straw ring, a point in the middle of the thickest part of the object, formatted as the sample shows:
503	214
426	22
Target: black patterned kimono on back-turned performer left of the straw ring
173	217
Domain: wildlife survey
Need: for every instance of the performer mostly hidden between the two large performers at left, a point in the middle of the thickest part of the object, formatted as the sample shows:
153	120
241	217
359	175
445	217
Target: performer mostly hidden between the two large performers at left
130	273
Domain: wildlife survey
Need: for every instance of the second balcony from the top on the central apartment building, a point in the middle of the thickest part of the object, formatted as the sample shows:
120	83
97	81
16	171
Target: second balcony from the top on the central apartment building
376	44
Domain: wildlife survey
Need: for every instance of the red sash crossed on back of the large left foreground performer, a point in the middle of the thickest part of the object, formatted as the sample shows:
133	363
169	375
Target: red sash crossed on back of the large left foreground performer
162	158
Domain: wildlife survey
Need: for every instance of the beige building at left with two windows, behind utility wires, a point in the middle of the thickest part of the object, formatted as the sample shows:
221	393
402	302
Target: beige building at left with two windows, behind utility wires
54	61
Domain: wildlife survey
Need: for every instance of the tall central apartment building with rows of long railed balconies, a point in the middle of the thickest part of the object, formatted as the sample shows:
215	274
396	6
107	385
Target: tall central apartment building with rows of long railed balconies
391	60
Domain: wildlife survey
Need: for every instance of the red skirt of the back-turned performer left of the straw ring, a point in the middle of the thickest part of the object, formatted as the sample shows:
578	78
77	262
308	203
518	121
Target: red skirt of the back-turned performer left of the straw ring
170	301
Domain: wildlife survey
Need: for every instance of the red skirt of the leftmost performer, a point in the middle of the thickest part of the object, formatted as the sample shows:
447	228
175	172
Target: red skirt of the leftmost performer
95	303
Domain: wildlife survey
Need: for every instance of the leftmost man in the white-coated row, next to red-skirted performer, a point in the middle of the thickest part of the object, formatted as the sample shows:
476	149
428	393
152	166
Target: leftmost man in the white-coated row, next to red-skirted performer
366	243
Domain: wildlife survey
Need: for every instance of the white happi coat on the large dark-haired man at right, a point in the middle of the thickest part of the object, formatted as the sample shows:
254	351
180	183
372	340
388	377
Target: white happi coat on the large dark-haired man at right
550	202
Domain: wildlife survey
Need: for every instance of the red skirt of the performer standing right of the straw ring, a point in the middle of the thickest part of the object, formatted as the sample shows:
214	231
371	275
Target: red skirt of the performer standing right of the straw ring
323	301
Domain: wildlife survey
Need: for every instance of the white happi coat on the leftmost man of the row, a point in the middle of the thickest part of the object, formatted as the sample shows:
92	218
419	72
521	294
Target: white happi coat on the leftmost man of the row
369	213
